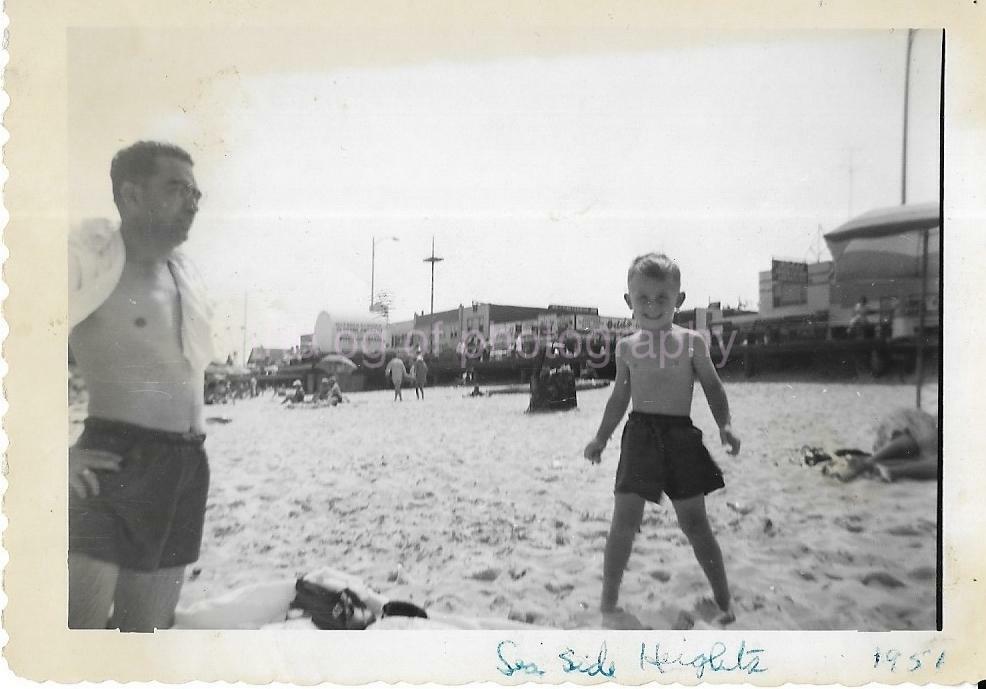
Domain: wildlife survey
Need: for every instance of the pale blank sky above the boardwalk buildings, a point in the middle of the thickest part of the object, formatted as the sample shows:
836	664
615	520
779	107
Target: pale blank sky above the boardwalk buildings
540	173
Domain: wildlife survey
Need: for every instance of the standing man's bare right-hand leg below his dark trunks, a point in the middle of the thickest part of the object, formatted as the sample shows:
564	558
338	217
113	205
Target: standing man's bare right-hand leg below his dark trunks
146	600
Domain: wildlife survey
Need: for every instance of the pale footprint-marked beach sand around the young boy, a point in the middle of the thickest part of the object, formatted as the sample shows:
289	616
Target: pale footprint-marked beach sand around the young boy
471	507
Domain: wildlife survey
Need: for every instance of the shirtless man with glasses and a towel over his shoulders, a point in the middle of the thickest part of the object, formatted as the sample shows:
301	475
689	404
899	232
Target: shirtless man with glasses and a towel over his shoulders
138	475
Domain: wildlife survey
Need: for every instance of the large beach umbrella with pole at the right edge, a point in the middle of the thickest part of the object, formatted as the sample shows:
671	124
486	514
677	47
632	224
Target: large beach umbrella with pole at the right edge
896	242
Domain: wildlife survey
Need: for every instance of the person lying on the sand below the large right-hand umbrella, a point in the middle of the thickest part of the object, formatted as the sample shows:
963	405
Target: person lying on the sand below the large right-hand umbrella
906	447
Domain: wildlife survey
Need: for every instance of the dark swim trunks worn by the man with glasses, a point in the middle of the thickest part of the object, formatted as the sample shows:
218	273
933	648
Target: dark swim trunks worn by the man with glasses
149	515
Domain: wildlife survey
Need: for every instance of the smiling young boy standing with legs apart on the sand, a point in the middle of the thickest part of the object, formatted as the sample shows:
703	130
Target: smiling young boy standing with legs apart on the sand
661	451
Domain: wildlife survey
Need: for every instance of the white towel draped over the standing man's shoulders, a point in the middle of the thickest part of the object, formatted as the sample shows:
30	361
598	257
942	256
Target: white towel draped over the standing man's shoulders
96	256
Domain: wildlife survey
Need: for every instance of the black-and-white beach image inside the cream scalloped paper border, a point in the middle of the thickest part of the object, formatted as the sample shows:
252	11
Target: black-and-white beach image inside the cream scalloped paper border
357	341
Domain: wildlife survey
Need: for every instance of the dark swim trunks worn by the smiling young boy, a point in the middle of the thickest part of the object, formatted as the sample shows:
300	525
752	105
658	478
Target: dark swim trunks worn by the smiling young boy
664	454
